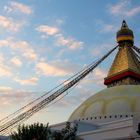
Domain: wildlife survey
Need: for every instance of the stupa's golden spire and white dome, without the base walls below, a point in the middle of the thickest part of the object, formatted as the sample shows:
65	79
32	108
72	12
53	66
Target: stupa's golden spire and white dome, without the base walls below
121	98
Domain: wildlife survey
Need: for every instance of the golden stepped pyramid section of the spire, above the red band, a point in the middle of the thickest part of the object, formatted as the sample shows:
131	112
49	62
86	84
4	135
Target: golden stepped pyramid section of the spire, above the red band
125	60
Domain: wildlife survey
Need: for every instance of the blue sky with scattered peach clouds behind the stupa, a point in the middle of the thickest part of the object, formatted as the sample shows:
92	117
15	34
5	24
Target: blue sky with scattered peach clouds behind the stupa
44	42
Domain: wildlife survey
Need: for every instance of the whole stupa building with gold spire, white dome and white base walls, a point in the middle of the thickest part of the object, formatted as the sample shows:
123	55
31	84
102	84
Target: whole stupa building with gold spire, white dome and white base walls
113	113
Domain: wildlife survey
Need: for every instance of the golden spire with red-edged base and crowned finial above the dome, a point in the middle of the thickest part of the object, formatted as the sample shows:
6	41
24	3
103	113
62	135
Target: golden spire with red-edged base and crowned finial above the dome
125	69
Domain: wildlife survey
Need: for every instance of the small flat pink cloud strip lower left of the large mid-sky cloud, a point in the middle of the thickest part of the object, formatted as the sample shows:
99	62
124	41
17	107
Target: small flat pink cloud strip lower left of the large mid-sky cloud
30	81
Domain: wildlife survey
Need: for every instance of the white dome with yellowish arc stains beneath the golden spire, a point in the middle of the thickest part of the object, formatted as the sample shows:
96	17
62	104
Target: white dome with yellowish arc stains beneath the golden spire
113	103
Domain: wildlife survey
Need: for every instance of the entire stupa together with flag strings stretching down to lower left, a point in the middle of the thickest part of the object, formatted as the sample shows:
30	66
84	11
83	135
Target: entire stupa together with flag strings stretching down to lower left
111	114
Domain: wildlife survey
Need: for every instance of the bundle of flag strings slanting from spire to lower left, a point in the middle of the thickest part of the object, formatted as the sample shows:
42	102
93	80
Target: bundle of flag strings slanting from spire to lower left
55	94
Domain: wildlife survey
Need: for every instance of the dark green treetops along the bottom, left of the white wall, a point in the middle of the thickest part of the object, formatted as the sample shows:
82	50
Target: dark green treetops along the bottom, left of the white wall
43	132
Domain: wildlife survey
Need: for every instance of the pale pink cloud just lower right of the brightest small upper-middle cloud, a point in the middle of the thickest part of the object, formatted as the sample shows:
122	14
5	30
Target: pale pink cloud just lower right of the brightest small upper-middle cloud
71	43
